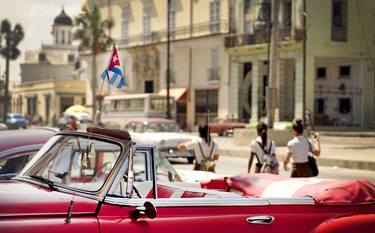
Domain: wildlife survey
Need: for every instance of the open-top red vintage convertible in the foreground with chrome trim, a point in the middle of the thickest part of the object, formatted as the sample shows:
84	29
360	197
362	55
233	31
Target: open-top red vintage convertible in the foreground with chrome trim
86	182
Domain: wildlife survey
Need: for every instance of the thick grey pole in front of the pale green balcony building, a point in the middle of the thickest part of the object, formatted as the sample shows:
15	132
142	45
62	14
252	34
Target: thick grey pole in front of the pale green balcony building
273	64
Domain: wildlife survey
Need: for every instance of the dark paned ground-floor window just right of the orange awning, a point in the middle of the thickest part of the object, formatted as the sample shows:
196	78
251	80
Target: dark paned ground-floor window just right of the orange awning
205	99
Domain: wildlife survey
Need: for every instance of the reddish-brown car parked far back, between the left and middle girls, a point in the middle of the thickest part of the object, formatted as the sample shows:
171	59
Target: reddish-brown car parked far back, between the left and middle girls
224	127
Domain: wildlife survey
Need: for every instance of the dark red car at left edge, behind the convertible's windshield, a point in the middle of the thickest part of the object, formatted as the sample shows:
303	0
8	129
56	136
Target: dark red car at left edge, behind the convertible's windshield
17	147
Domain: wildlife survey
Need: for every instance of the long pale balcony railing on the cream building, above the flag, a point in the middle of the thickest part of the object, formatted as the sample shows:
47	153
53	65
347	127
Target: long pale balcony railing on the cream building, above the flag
178	33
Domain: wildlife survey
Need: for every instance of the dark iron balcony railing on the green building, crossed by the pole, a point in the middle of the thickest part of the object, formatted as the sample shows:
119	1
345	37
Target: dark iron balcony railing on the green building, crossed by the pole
261	37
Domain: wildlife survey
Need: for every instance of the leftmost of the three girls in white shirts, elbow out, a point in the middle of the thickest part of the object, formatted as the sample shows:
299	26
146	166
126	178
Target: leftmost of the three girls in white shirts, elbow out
205	150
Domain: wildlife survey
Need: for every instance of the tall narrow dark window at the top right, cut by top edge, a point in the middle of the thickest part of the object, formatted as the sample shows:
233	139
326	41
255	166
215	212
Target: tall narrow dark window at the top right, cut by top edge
339	20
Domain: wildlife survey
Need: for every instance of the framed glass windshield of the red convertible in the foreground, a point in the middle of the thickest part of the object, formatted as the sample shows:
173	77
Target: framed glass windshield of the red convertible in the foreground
75	161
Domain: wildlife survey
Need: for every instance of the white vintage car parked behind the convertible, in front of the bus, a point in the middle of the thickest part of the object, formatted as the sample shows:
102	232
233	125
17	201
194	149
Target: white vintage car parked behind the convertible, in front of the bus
164	133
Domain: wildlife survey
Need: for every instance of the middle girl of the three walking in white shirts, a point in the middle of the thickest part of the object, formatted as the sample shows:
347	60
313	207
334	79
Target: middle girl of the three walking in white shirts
260	147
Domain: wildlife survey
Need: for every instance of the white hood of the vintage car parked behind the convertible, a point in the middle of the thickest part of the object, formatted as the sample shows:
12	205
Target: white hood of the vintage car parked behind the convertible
162	138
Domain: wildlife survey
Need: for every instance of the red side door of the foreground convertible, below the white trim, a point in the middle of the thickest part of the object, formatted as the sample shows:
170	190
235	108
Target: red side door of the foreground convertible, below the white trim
191	217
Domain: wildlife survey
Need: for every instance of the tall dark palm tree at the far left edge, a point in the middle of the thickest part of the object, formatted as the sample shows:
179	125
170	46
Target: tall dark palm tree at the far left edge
10	52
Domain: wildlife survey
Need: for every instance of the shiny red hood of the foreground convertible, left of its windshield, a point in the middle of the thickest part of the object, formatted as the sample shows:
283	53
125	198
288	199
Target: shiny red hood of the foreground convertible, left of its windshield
18	198
